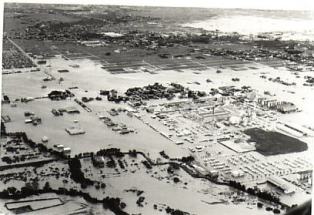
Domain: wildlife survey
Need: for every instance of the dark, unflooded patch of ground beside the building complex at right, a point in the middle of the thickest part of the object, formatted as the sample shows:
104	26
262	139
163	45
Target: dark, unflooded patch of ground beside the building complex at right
273	143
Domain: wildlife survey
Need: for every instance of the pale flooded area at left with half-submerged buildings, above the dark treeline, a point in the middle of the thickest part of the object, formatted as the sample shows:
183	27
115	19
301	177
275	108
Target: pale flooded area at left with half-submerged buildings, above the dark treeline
97	134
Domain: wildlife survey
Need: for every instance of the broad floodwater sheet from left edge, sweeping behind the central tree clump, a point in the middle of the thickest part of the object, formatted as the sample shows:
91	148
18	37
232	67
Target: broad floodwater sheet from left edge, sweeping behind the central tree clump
89	71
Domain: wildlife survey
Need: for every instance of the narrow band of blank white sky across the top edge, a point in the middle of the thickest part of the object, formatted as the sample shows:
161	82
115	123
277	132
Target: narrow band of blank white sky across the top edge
250	4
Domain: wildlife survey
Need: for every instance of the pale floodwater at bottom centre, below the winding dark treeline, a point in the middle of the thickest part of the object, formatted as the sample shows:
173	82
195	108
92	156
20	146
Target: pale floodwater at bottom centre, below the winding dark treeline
158	192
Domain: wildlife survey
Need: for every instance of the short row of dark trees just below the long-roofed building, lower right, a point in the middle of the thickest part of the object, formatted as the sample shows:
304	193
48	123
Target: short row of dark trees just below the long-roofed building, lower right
256	192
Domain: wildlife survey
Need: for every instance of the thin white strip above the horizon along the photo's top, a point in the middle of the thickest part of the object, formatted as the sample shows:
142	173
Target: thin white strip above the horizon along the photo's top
278	5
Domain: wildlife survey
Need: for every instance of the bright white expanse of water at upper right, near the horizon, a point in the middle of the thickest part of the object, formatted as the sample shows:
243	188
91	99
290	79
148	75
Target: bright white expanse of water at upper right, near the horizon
300	28
